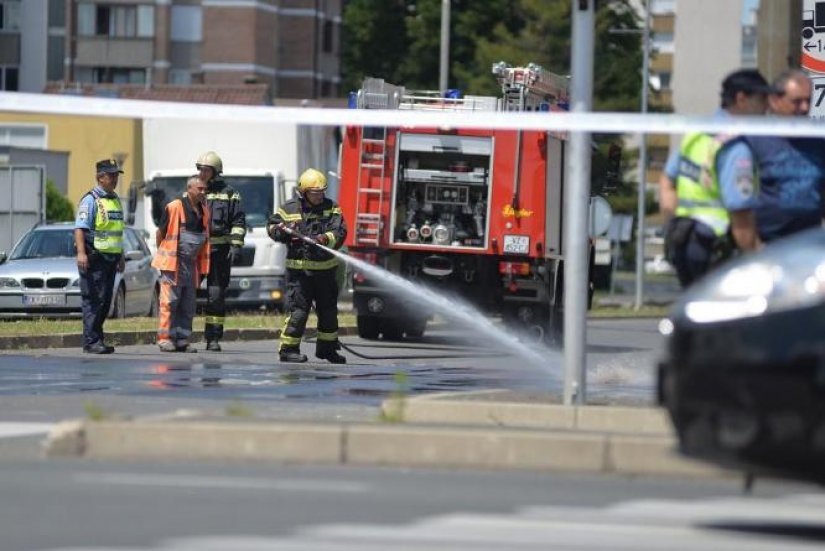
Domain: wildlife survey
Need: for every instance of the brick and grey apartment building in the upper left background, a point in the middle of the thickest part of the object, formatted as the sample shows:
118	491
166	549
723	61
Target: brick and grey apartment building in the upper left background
291	45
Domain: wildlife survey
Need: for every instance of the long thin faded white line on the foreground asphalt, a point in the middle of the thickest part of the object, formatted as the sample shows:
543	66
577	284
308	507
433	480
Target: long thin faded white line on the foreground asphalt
223	482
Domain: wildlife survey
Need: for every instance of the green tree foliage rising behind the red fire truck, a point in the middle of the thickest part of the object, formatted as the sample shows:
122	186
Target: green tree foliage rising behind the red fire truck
399	40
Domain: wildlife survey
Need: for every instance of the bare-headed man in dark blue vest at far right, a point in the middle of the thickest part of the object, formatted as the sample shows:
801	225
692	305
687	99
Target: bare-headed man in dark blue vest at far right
791	169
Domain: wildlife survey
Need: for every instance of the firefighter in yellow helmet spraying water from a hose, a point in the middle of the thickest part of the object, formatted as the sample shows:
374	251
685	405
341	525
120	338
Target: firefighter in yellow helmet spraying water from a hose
311	271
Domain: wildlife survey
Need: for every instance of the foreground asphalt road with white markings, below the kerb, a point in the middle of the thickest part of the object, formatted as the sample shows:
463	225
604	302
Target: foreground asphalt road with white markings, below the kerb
64	505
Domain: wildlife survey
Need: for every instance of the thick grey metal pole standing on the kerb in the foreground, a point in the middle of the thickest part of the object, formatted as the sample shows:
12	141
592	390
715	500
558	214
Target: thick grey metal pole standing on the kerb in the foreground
576	199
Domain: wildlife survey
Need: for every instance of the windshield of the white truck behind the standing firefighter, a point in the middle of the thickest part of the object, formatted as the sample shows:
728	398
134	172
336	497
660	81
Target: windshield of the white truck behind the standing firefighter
257	196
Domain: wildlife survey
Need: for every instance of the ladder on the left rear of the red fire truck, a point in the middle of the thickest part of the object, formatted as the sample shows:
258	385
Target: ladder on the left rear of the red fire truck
372	161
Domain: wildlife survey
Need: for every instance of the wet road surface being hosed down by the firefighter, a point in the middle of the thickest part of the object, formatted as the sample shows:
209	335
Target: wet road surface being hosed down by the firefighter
44	385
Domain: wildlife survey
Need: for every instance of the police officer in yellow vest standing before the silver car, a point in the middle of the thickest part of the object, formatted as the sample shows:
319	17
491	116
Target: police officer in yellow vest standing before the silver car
98	237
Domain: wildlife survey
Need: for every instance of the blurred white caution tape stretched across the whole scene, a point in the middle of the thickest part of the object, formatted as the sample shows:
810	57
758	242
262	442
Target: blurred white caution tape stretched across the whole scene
610	123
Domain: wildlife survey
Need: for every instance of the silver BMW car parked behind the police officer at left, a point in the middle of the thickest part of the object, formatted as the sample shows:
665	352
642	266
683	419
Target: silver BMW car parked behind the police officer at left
40	277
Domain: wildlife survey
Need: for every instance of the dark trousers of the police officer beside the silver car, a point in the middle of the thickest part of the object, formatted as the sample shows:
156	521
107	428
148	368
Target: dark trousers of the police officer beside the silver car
96	288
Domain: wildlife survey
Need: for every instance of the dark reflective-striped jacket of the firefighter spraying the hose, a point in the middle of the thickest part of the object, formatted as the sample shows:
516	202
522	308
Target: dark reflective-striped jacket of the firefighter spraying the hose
325	218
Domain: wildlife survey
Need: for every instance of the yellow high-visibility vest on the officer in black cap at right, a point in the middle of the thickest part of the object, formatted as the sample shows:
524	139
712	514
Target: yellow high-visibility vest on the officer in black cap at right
697	186
